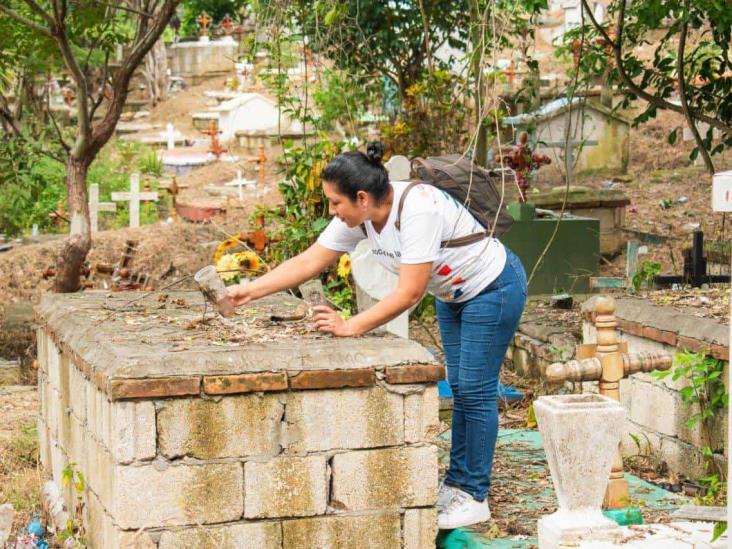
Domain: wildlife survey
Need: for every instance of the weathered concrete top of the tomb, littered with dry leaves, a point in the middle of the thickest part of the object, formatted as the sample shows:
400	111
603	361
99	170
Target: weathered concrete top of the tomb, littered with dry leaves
167	346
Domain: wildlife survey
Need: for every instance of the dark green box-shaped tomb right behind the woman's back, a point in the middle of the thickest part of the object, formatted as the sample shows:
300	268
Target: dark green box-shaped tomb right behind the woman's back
570	261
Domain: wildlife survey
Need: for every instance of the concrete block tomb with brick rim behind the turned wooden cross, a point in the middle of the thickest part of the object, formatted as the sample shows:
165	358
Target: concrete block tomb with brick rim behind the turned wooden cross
657	415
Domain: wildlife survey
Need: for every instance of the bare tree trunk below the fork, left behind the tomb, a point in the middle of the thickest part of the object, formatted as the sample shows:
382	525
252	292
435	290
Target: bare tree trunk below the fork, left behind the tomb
77	245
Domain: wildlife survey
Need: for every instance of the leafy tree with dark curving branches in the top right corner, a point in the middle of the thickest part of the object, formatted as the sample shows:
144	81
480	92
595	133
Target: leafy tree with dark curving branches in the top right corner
690	59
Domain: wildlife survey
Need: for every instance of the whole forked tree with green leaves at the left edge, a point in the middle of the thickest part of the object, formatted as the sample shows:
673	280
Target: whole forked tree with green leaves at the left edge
84	37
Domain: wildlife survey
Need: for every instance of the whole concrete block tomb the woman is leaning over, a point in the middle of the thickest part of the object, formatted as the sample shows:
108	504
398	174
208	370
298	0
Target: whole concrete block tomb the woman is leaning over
249	433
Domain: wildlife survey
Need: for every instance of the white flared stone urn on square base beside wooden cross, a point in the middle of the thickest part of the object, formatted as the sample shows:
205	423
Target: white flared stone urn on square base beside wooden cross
581	435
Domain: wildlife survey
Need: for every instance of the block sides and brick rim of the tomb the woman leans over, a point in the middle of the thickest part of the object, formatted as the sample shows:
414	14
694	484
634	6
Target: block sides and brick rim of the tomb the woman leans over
321	458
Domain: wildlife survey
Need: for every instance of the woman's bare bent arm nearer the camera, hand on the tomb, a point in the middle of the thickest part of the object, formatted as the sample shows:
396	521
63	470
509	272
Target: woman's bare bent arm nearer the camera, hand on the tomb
413	281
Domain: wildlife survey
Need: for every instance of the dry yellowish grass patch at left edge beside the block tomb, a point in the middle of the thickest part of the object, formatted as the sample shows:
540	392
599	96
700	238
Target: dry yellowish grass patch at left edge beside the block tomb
19	476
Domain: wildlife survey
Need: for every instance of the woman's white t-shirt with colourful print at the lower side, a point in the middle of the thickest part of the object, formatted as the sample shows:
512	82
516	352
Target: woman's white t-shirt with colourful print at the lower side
429	216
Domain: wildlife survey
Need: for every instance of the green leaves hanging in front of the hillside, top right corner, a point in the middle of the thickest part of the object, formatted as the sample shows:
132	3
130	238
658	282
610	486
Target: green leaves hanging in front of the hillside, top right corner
706	59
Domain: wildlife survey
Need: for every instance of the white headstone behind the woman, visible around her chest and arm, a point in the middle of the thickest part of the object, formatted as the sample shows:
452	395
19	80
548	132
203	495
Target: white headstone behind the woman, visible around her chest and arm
374	282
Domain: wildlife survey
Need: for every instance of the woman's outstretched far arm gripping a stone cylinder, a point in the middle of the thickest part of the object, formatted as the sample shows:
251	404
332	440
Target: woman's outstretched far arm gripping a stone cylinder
289	274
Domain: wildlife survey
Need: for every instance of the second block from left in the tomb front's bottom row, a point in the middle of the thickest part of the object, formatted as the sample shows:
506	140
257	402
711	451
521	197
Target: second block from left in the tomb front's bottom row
257	534
